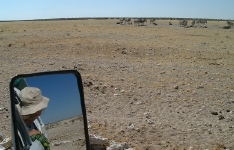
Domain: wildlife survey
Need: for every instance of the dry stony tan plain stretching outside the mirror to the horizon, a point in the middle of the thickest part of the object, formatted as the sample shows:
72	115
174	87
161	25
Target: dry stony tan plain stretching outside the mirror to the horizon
154	86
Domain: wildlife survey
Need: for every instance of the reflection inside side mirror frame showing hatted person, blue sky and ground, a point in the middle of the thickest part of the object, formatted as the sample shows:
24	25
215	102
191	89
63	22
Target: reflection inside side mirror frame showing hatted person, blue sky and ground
51	104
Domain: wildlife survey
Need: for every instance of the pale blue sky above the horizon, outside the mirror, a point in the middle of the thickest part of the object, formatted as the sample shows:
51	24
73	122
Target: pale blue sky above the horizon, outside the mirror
45	9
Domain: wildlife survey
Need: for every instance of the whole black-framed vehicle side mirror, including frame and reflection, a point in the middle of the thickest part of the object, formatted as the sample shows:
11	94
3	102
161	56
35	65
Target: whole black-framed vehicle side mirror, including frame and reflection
63	122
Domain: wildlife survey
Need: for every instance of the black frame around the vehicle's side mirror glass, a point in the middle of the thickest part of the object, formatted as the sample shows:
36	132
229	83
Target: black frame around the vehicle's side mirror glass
15	141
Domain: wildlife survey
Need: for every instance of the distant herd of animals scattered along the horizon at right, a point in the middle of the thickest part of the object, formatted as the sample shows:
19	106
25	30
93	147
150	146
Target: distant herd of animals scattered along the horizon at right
182	23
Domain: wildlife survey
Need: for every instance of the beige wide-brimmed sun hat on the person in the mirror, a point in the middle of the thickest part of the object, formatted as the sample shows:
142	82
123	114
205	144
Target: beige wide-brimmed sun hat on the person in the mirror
31	101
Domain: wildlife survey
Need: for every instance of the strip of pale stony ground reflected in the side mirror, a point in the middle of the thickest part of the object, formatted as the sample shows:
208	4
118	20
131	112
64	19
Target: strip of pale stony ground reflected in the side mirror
67	134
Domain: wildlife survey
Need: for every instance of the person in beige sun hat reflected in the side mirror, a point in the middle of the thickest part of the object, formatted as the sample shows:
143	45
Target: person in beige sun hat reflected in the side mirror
31	106
